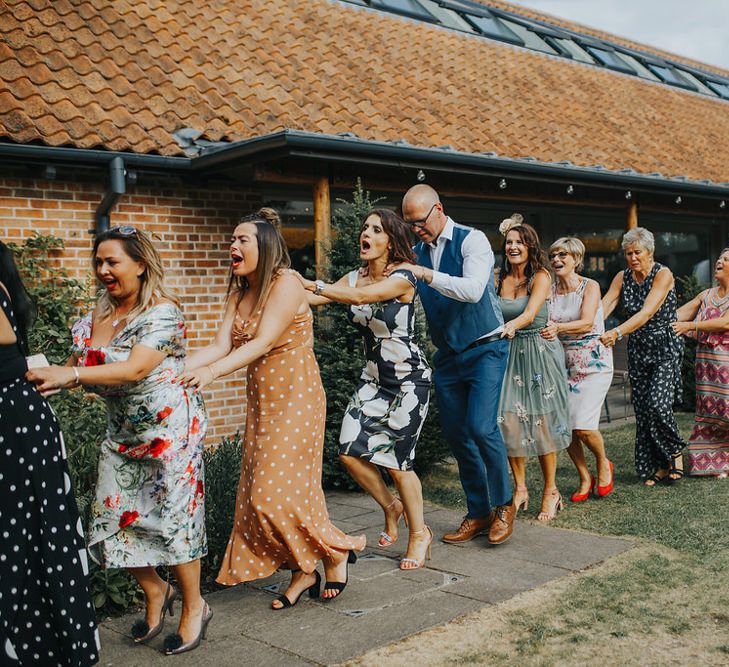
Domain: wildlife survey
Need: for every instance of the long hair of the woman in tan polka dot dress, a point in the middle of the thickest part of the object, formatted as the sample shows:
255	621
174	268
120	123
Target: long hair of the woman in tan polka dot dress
273	256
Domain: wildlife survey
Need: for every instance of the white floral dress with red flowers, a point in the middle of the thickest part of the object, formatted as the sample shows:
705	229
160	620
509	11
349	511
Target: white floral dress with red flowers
149	507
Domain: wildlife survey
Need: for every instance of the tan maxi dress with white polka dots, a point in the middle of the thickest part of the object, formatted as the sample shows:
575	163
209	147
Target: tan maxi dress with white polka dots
281	516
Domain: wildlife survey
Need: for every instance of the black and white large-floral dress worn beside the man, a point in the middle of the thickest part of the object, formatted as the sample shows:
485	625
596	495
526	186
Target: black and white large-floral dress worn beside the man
385	415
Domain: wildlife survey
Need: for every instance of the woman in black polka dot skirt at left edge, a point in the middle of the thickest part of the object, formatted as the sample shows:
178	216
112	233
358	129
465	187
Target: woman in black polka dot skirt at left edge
46	615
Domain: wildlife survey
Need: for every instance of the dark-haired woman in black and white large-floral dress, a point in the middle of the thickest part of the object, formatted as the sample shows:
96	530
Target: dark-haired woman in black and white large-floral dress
386	413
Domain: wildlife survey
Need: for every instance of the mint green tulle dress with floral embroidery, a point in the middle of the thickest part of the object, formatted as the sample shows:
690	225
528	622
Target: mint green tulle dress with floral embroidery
534	415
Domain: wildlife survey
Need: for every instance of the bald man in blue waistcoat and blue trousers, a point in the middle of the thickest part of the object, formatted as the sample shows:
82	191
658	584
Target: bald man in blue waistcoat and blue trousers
455	275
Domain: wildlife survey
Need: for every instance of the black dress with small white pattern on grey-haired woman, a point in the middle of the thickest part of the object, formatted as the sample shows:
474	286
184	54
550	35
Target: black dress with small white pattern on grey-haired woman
654	366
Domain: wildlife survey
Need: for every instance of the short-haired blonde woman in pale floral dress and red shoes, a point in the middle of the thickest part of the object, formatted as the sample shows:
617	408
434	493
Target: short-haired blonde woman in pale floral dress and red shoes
576	320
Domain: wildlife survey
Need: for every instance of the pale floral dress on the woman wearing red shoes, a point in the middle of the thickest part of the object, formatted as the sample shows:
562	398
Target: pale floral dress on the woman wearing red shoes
589	362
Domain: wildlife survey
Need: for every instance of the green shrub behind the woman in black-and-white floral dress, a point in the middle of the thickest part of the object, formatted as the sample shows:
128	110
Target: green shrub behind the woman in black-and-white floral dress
339	349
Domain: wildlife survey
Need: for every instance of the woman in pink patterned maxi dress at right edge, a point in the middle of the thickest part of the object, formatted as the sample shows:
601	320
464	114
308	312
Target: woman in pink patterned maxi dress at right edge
706	318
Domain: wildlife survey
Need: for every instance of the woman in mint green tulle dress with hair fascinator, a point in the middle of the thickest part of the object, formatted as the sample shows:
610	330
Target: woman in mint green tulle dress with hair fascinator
534	408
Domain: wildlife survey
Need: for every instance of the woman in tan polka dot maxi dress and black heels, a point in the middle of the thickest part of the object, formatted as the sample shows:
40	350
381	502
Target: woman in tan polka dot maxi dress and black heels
281	518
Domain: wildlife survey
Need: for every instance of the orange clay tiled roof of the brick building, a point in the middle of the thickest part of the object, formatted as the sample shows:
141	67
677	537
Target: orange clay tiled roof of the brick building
126	75
